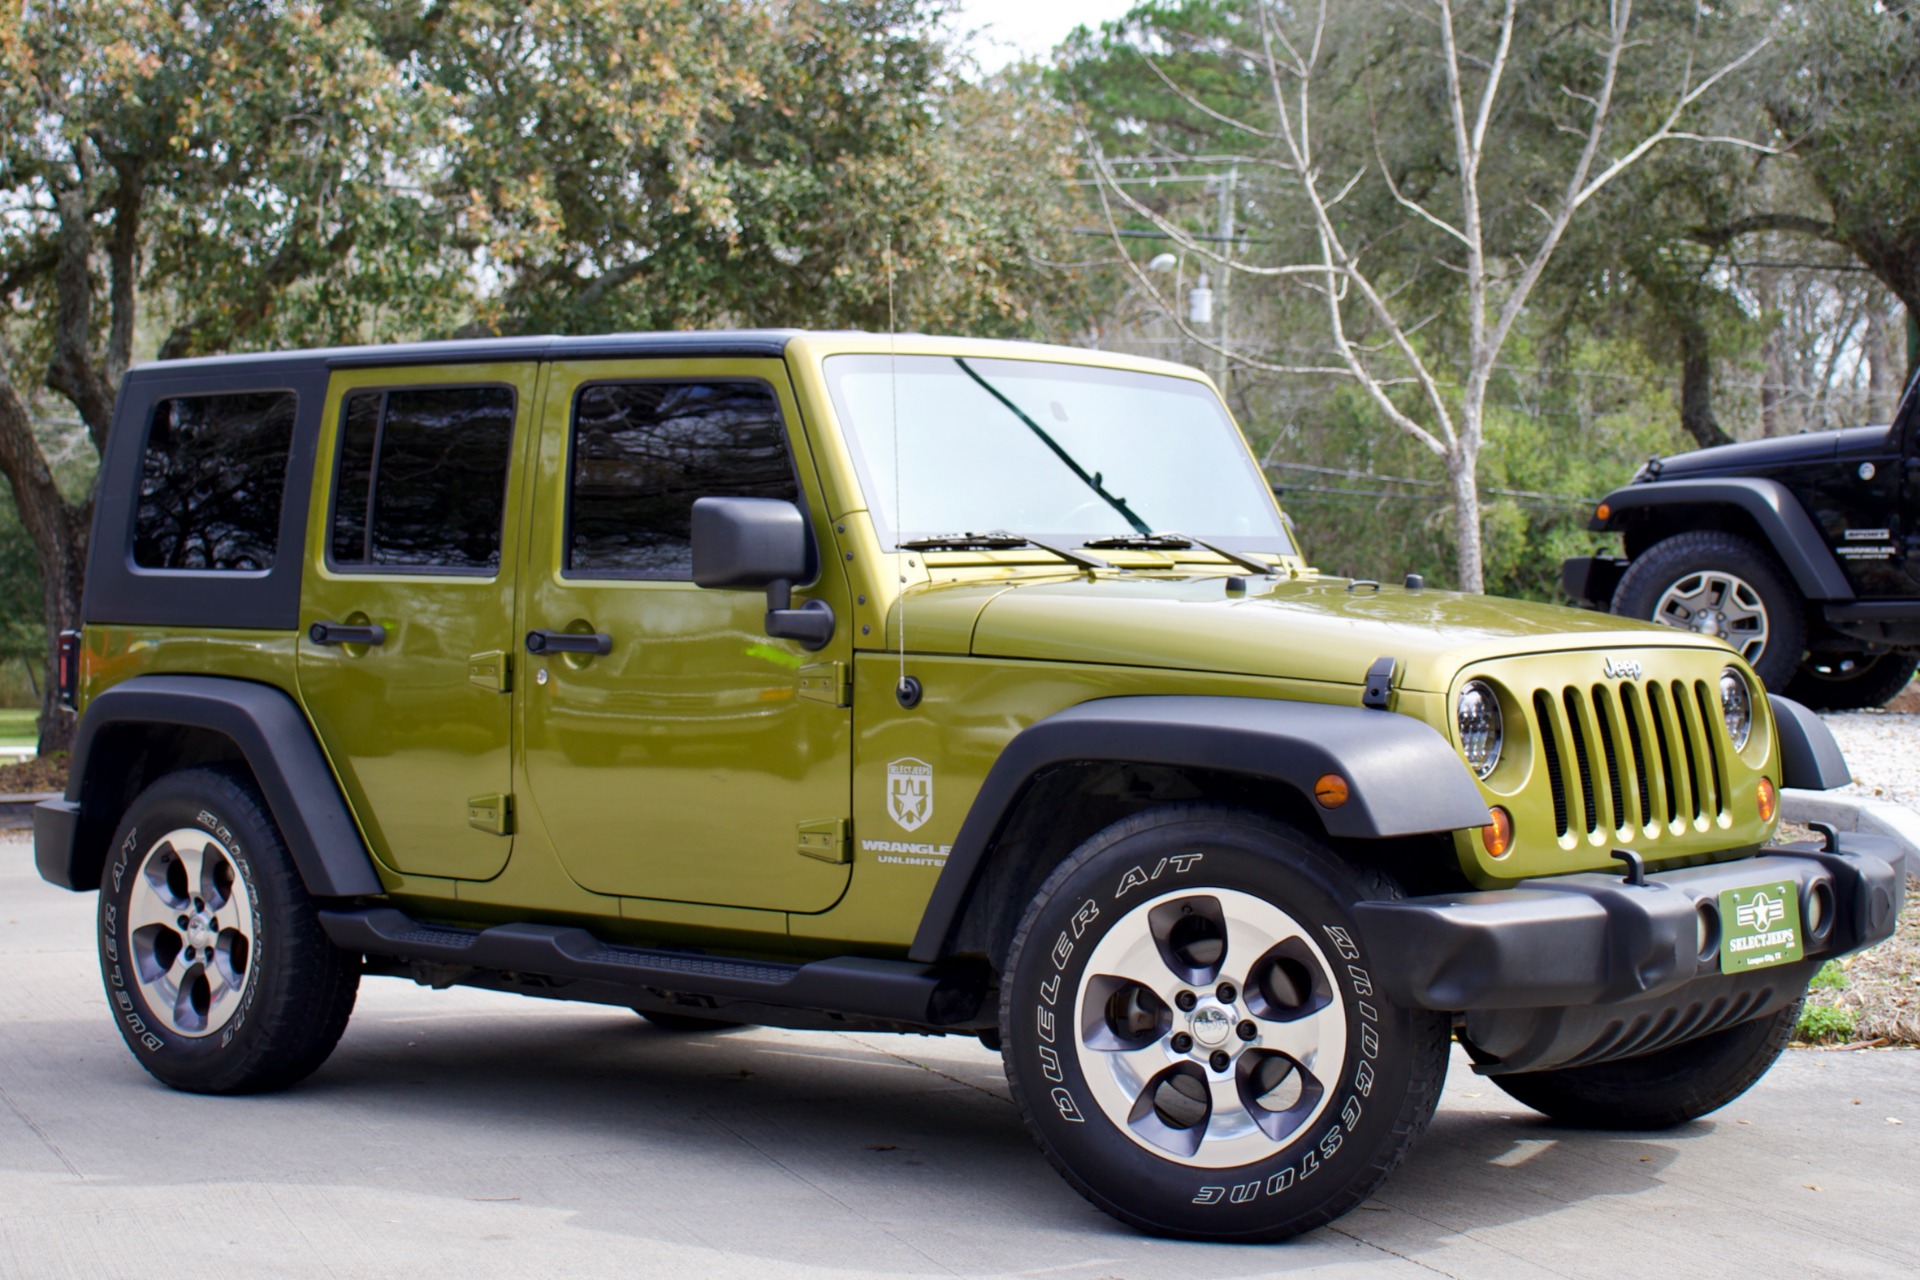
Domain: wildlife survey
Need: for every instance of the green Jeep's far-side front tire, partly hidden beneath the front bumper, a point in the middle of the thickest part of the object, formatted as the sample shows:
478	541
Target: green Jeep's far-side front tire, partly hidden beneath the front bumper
1662	1089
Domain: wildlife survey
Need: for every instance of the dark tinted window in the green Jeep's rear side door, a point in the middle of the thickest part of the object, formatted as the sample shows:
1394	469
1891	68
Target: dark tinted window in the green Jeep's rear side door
421	483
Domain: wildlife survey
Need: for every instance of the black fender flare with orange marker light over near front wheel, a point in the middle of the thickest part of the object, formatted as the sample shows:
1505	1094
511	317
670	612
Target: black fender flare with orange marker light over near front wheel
1403	776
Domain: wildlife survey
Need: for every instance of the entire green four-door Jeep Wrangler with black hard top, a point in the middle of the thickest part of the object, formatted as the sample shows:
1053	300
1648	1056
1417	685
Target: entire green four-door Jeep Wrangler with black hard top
926	686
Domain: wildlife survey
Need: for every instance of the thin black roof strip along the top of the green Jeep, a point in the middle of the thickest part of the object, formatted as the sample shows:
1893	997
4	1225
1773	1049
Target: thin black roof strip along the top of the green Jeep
711	344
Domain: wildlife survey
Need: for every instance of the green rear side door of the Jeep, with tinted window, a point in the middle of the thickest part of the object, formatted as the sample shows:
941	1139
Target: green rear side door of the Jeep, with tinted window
406	617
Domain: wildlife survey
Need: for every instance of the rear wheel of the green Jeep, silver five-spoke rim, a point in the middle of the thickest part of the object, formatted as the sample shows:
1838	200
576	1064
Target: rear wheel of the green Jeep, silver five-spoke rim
214	960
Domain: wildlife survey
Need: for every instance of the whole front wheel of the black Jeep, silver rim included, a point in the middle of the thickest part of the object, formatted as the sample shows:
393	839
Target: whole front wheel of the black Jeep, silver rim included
1692	565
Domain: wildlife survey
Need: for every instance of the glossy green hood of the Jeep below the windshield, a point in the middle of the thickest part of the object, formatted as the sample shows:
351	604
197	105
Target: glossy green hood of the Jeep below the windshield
1310	628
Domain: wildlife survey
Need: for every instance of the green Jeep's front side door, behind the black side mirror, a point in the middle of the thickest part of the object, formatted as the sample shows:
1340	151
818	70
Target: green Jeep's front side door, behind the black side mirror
675	751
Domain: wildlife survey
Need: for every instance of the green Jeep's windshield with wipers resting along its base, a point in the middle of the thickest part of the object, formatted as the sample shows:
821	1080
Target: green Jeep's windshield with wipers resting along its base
1055	452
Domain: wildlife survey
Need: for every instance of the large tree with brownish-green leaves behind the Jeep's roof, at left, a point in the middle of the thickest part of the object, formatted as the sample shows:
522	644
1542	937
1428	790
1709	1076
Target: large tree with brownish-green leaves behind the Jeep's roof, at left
252	174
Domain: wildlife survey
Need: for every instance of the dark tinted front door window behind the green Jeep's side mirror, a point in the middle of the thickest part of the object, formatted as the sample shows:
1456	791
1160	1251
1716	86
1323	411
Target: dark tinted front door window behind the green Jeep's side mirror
642	452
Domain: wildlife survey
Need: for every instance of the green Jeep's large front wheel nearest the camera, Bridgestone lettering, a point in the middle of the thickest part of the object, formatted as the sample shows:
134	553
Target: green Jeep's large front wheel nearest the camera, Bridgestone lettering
1126	1112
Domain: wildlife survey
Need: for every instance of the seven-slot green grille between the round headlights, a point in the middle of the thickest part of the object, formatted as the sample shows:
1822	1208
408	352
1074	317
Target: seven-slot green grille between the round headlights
1643	757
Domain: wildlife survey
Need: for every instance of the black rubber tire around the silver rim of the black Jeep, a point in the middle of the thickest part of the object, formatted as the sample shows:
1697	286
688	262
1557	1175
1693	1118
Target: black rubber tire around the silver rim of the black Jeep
1671	563
